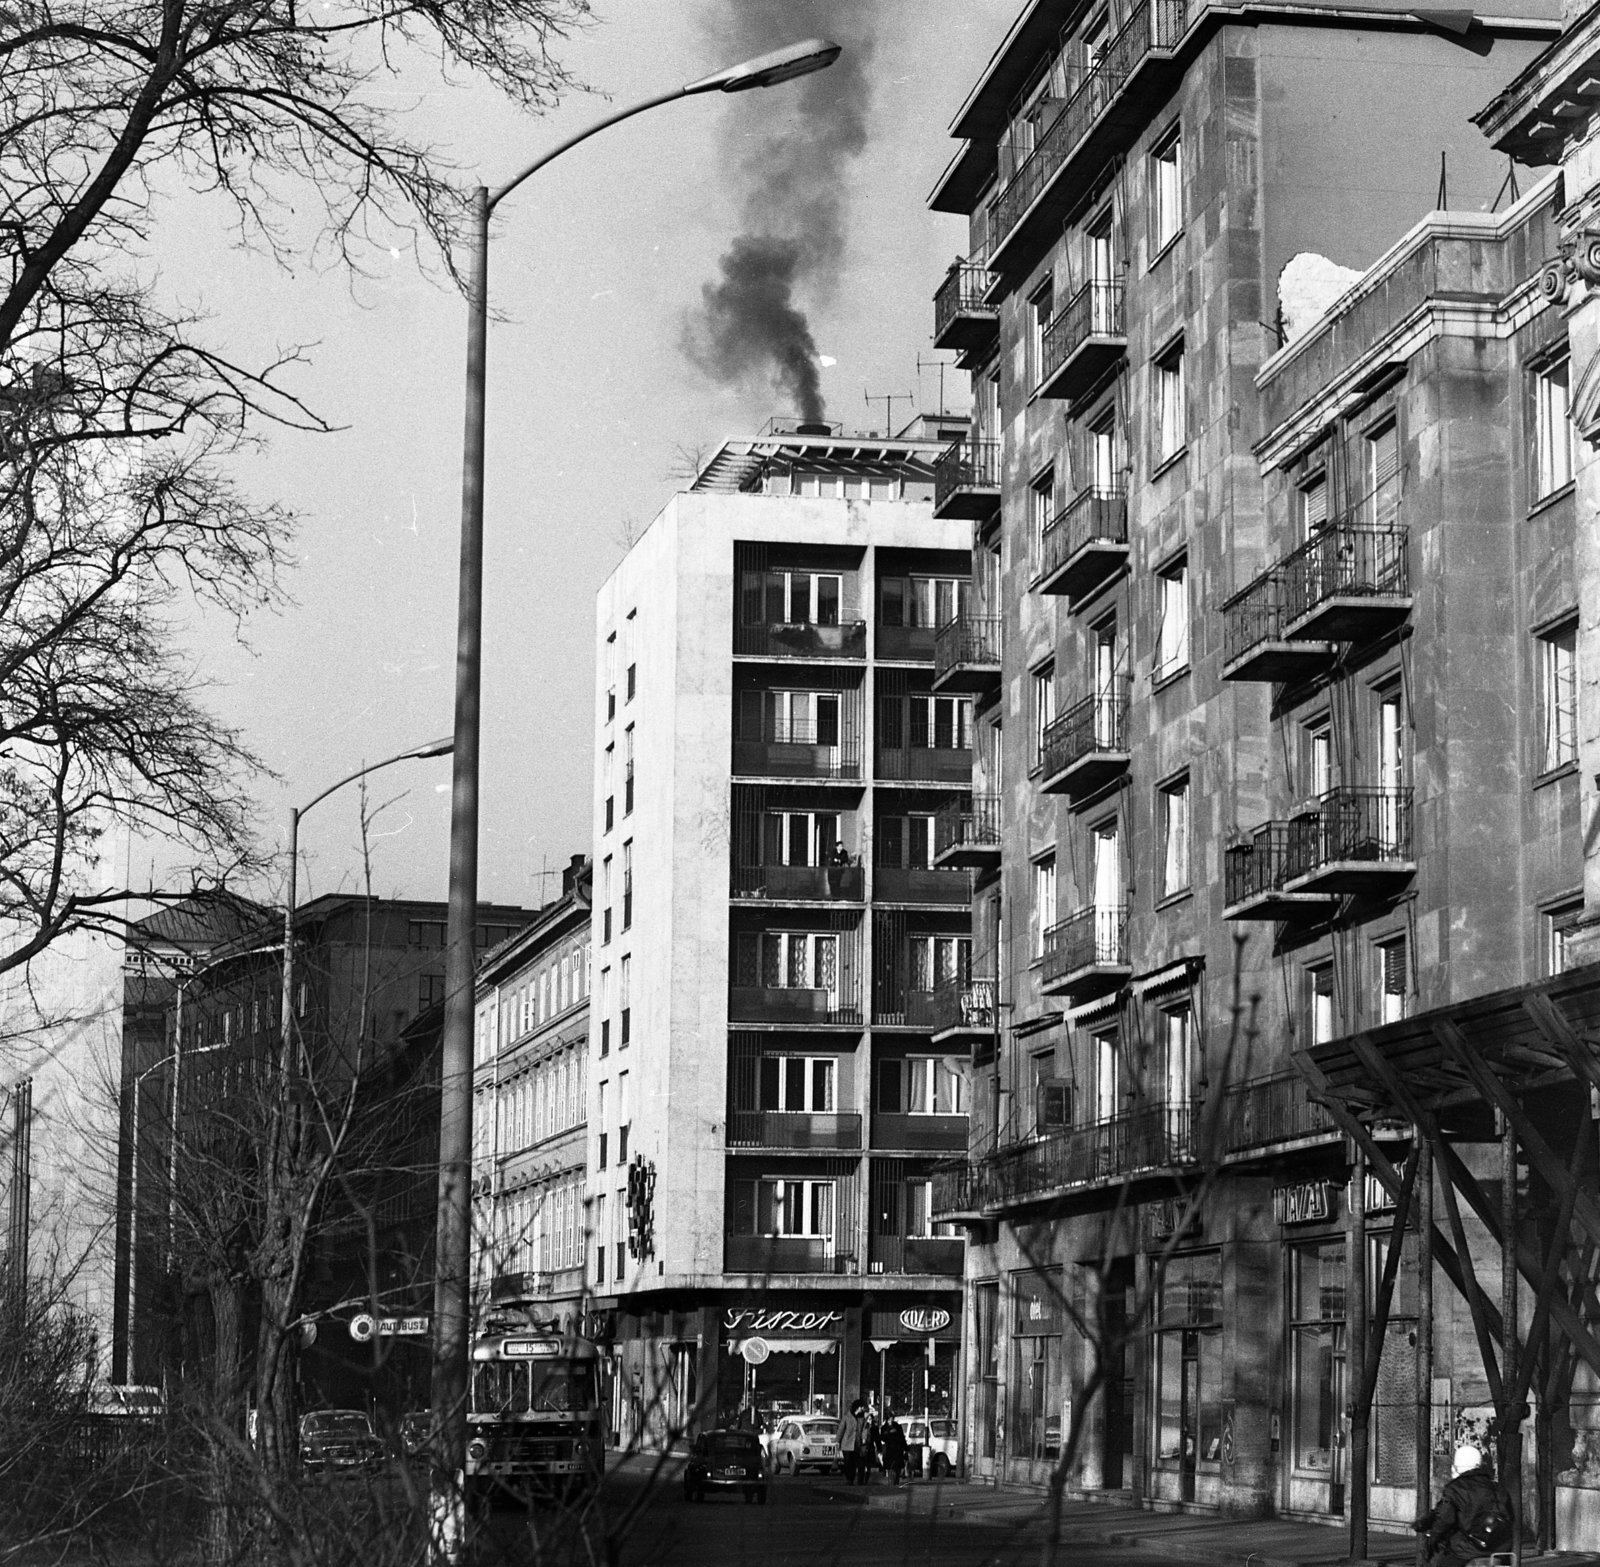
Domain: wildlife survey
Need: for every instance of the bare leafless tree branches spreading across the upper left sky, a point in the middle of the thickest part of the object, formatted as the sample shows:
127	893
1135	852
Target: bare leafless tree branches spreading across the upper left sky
118	420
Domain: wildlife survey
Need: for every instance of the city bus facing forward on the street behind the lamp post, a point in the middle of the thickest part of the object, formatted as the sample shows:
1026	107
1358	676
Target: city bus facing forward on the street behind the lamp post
535	1430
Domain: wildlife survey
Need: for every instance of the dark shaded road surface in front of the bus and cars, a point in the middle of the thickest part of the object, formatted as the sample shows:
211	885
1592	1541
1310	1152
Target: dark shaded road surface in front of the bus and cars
806	1521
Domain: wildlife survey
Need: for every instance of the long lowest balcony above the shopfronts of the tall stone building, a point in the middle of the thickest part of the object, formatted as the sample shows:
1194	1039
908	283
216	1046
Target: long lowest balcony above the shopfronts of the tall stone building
1148	1144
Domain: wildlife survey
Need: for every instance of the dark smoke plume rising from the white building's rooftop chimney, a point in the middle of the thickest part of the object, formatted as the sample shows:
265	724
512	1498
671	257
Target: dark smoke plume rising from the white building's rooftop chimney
793	156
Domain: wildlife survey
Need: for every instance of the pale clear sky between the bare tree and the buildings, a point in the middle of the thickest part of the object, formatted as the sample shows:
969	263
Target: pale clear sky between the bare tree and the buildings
598	267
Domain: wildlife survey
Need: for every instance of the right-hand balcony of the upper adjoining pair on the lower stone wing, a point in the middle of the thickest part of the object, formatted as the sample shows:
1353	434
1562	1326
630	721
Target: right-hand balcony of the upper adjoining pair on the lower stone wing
1346	585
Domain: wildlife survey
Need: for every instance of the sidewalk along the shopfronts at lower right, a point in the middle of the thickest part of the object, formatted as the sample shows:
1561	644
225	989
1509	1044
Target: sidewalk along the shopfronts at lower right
1182	1537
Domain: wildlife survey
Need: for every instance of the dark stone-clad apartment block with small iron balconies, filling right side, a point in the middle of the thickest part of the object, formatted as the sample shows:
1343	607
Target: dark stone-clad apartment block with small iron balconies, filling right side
1278	801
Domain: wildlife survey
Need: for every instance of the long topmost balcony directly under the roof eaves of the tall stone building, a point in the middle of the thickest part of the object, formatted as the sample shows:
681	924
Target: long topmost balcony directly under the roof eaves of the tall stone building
1100	119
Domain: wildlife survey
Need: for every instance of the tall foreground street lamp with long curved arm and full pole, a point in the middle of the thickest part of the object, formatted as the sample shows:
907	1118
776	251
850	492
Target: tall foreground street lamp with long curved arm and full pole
455	1120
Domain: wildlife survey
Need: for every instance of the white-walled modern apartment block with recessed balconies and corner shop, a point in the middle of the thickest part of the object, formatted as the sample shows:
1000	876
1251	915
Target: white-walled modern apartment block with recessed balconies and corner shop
778	1054
